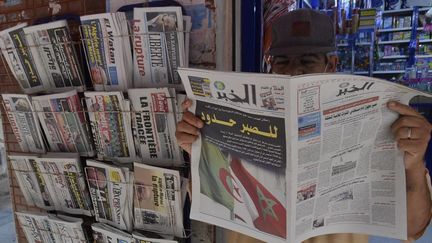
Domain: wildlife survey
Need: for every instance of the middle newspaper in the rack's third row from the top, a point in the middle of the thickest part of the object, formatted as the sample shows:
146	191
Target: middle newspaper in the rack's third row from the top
111	193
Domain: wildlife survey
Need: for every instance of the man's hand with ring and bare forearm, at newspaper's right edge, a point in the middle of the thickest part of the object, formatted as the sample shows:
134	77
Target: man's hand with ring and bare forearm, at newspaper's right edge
412	134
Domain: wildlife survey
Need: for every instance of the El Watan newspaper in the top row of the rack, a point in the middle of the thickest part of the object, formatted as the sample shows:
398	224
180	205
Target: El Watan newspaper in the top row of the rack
107	45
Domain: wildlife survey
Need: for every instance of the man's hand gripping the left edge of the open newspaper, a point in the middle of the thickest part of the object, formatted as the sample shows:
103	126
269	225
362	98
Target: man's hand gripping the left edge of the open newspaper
188	128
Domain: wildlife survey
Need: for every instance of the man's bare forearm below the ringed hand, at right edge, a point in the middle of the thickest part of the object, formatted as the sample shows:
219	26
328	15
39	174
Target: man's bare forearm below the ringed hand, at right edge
418	199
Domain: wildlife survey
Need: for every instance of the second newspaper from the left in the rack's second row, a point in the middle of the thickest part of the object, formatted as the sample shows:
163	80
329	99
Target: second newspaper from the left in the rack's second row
63	122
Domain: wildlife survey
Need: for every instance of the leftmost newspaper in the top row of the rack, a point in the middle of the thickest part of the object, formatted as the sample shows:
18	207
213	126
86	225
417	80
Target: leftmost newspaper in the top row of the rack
25	66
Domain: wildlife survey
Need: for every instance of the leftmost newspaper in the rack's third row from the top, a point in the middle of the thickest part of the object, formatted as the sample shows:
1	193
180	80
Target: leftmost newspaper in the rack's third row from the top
53	182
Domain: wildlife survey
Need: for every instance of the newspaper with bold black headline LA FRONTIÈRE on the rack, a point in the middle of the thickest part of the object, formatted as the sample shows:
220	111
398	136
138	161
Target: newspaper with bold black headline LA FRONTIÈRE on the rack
154	124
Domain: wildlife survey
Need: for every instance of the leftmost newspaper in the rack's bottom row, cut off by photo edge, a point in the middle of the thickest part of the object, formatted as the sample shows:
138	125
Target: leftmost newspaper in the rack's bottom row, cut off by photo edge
50	228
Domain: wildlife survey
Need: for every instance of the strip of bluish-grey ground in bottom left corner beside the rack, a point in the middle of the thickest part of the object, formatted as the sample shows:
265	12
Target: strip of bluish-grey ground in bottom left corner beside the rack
7	224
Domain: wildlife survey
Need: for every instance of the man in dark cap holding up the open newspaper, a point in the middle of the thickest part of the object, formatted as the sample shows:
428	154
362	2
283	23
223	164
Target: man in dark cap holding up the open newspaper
304	43
